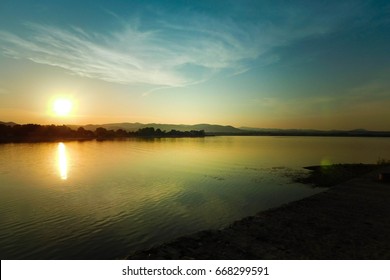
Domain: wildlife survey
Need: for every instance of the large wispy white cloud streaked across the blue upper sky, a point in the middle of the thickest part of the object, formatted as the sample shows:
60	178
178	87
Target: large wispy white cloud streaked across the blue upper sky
177	52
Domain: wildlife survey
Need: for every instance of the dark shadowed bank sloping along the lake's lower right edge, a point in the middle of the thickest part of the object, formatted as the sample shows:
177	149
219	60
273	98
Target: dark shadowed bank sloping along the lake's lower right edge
348	221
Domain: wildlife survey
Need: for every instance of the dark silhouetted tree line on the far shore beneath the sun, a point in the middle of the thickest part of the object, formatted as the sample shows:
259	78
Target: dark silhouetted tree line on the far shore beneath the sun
36	132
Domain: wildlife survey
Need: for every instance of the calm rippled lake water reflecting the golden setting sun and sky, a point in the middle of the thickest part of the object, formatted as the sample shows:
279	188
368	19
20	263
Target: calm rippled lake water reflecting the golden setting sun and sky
88	200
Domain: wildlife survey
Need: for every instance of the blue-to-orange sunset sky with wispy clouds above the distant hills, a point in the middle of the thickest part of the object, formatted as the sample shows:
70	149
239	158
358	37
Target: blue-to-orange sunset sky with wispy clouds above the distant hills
265	64
